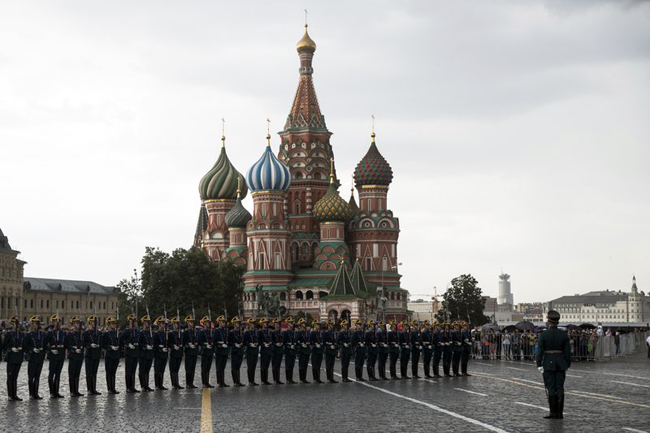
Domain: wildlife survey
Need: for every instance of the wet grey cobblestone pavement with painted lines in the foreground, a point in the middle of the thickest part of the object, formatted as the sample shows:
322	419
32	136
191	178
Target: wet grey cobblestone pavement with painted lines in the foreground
500	396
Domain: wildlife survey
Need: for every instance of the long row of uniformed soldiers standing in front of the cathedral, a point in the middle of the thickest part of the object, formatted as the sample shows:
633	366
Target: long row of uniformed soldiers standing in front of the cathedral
257	341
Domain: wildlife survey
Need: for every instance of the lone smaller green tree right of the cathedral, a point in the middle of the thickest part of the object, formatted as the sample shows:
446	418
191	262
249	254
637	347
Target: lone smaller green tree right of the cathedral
463	301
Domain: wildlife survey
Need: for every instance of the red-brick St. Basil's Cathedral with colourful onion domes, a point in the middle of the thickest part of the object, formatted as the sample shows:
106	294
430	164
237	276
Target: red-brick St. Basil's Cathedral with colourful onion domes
322	254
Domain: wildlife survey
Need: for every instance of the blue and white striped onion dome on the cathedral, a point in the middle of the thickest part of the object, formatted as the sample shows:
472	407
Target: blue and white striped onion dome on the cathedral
268	173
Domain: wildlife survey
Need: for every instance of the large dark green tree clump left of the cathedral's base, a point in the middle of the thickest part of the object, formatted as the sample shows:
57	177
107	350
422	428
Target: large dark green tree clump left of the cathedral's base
183	280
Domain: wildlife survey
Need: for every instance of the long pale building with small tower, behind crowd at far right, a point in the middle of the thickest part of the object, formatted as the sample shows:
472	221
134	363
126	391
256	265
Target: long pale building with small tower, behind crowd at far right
606	306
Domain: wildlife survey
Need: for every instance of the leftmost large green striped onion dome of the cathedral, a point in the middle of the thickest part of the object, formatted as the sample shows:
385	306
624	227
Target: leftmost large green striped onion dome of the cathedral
221	181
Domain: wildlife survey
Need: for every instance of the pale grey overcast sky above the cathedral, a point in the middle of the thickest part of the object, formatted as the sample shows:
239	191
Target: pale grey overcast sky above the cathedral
518	132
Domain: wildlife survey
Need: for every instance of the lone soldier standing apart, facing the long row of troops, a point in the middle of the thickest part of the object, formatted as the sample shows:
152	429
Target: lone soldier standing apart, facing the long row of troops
553	360
